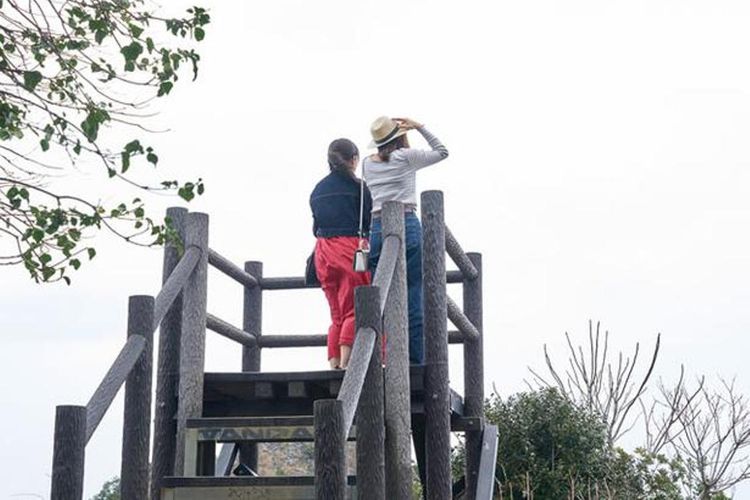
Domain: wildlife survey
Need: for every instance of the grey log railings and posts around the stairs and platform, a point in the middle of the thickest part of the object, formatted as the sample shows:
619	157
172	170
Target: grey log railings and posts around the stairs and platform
180	310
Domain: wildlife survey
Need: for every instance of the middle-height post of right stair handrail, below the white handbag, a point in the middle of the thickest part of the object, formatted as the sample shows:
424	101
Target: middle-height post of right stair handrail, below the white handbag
370	412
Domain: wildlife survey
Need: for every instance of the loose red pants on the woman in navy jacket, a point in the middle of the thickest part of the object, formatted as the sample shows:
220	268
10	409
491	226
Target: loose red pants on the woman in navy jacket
333	263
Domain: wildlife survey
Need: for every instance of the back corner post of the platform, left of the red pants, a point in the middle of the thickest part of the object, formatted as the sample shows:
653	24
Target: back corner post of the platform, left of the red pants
252	321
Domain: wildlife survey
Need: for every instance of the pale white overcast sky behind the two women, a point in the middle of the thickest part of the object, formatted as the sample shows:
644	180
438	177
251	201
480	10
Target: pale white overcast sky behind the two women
599	161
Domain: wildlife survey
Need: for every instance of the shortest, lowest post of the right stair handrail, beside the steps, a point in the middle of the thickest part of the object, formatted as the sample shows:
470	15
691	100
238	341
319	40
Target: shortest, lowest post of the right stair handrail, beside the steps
330	453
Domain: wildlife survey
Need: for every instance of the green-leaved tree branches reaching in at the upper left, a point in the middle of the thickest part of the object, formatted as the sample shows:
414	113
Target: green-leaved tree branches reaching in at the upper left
71	72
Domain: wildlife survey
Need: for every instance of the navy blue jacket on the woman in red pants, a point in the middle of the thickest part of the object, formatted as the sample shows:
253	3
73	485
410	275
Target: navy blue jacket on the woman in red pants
335	206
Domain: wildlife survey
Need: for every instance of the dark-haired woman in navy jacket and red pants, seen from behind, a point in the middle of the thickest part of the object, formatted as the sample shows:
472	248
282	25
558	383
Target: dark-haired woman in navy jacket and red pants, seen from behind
335	204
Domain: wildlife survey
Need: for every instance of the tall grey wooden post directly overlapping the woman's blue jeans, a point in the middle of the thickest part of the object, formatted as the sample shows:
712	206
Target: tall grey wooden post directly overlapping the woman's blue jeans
397	390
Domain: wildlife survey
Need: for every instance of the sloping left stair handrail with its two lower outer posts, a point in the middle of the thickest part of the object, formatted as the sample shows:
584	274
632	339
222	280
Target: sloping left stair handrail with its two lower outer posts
74	425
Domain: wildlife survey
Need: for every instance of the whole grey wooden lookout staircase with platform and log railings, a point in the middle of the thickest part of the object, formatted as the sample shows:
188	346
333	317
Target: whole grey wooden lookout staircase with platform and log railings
384	407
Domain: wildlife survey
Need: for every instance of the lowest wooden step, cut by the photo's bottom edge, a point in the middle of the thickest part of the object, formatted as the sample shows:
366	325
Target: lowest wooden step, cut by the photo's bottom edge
244	488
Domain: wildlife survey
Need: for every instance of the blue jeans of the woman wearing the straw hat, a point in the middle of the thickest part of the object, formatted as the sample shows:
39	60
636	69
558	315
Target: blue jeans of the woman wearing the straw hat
413	278
